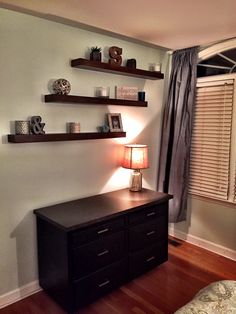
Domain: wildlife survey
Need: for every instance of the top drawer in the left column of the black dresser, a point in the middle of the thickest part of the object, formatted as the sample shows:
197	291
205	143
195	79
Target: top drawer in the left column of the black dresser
96	232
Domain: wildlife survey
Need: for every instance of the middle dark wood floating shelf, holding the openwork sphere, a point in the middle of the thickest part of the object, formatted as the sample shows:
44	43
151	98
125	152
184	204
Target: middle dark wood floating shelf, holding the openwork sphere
93	100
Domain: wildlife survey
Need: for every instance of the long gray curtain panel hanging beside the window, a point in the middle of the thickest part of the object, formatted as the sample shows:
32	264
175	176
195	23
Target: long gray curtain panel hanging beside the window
176	132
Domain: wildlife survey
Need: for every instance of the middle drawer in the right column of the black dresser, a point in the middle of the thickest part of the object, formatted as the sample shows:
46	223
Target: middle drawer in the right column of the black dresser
143	235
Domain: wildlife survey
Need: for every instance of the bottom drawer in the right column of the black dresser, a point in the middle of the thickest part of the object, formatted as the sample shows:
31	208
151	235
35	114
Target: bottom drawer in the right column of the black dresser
147	259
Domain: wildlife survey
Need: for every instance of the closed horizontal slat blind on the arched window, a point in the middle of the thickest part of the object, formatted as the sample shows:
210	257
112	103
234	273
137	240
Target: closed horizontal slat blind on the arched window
211	140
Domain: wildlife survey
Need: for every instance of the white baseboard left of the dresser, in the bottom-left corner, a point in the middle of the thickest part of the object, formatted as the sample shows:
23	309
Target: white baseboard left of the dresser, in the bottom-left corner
19	294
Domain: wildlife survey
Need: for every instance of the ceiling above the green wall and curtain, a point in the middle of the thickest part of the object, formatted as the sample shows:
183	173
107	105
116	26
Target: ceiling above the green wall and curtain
173	24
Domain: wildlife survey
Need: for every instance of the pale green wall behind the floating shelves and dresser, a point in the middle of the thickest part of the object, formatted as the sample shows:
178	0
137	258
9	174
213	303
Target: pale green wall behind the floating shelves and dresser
33	52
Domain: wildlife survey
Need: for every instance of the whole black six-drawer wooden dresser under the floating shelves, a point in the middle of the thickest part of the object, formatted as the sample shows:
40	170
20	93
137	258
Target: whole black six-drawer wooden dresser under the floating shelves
88	247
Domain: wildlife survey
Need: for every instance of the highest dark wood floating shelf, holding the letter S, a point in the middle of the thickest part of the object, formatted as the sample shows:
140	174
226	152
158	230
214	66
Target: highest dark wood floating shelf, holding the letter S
121	70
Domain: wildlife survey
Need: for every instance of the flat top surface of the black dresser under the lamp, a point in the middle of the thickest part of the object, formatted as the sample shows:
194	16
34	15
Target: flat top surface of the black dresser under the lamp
86	211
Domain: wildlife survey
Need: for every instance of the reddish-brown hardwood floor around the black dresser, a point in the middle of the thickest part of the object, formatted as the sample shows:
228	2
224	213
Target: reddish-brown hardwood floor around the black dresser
161	291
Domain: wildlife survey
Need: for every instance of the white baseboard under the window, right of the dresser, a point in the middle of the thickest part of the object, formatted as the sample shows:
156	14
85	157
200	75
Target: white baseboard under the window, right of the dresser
210	246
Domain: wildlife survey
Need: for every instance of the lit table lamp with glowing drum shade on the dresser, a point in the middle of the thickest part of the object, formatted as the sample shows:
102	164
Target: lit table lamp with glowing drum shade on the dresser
136	158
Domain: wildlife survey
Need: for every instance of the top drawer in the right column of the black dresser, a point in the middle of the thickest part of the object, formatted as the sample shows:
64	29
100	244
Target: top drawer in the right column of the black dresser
148	213
